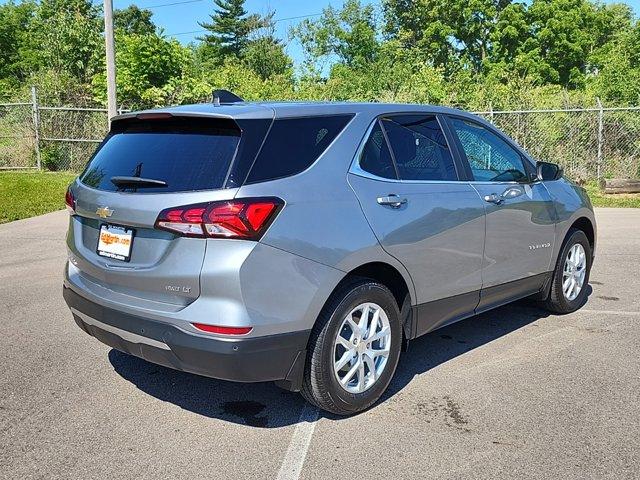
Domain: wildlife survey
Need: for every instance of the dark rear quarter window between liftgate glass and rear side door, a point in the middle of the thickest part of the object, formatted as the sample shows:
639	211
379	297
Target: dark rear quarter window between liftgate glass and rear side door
293	144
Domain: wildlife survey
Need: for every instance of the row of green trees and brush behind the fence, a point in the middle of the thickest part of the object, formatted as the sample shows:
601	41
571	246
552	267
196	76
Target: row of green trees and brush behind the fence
468	53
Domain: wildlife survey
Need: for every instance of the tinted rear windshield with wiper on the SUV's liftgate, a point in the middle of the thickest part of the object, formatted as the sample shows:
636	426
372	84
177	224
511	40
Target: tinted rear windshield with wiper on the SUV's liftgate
187	154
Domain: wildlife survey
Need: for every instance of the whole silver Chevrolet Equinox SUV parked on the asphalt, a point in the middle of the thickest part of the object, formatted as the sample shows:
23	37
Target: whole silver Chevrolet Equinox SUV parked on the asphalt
308	243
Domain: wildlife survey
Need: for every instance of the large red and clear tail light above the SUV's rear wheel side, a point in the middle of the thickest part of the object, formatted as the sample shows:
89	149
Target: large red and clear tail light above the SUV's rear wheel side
246	218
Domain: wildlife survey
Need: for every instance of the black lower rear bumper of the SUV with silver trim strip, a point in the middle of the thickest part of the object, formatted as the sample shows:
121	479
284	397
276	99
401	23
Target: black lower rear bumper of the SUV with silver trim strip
270	358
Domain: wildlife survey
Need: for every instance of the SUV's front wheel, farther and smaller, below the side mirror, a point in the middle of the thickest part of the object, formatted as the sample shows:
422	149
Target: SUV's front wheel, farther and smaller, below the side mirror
572	268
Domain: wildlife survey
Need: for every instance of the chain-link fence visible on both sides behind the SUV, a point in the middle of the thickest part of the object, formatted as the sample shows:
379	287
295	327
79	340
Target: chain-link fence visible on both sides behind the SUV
589	143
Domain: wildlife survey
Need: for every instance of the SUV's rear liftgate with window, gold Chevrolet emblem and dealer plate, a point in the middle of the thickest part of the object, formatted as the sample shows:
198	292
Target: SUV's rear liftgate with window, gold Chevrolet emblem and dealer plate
147	164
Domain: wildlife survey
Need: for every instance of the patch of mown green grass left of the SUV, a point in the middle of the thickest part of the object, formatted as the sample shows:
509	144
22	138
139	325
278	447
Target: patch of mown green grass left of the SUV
27	194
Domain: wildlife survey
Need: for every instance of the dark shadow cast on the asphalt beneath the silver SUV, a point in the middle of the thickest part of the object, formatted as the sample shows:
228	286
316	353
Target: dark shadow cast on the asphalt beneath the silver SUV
266	406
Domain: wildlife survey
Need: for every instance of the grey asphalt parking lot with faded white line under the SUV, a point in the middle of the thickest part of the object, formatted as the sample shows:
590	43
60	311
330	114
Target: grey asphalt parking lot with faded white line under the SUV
514	393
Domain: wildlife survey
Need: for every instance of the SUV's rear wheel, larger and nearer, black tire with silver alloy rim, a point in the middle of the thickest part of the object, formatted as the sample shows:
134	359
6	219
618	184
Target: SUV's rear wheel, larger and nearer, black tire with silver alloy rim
354	348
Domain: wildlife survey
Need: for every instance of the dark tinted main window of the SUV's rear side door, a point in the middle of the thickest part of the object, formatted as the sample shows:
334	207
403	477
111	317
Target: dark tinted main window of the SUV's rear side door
419	148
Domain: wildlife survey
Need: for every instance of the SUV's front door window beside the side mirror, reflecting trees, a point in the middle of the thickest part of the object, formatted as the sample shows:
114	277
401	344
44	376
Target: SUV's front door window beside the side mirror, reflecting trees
490	157
